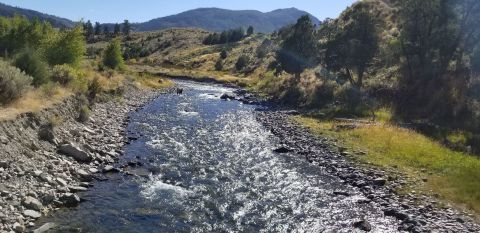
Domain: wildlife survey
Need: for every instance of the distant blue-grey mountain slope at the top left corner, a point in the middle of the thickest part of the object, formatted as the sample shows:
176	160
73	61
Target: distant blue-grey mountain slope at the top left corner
9	11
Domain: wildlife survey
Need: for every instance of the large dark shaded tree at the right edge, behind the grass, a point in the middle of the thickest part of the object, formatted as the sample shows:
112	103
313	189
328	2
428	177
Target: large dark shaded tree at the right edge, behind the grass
436	37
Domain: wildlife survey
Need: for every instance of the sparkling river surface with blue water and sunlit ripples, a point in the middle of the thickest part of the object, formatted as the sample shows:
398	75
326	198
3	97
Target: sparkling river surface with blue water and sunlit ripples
213	170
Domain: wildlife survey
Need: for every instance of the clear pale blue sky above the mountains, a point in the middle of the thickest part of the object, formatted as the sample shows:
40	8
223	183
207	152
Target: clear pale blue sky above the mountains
109	11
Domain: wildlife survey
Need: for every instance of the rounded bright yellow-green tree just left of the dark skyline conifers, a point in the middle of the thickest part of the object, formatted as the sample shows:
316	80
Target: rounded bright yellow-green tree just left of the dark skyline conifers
66	47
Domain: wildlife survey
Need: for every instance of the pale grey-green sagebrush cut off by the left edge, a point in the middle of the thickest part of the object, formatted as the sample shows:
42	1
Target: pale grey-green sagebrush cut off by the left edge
13	83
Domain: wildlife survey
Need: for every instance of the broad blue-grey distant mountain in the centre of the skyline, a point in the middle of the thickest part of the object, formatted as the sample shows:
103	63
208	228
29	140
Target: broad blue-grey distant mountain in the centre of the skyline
215	19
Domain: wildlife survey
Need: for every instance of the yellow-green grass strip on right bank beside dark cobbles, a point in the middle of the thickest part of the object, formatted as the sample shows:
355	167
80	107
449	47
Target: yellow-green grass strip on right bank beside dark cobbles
453	176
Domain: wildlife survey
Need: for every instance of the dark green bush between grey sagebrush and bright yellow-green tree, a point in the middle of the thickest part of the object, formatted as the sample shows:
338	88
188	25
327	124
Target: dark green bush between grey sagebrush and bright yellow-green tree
32	64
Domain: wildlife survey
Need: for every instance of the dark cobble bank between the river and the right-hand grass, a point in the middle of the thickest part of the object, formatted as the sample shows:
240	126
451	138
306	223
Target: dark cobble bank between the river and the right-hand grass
375	186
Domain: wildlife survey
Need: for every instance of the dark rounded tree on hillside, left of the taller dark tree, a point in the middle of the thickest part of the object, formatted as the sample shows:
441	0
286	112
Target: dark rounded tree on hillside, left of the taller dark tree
298	50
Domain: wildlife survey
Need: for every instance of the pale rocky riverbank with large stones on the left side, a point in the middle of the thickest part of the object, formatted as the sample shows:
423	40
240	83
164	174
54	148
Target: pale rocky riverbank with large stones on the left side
42	168
